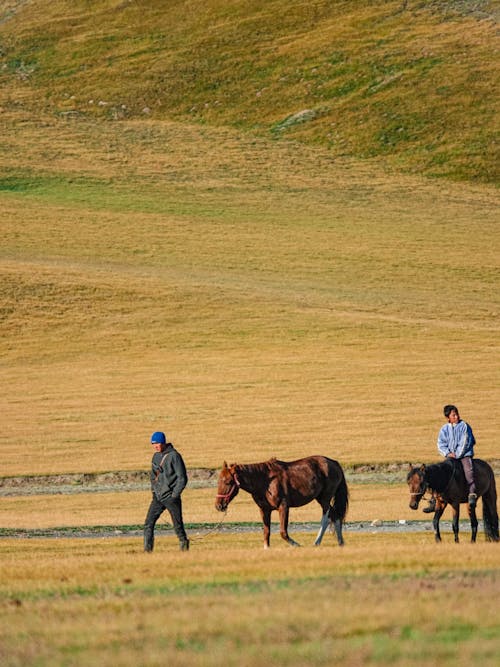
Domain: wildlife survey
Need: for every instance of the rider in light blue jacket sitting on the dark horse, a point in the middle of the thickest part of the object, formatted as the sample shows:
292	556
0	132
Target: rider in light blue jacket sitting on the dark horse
456	441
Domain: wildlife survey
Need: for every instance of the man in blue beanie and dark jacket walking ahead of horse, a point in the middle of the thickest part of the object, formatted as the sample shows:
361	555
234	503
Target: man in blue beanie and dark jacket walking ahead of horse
168	480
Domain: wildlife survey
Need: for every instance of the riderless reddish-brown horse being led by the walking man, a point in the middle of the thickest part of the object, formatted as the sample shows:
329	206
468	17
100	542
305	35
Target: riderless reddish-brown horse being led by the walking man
279	485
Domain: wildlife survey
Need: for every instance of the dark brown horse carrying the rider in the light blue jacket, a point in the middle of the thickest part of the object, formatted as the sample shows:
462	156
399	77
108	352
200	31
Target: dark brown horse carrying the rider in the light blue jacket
447	479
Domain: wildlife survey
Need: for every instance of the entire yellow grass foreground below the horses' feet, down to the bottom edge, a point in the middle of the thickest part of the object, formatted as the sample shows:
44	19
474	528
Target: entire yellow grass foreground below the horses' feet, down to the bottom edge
104	601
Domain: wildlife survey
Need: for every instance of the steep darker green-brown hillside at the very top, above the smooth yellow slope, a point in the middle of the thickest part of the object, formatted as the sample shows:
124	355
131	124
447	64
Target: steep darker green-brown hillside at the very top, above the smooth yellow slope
413	83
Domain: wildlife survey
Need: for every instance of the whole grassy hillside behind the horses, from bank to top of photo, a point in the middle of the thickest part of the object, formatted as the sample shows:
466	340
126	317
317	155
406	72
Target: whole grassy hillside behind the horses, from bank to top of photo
243	284
